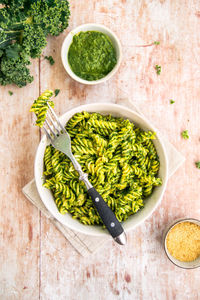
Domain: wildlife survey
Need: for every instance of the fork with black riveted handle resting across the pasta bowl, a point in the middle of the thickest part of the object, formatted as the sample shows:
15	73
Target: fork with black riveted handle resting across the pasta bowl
61	141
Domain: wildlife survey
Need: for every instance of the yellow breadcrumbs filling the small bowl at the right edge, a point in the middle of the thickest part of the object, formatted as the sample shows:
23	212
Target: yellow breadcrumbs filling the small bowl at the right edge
183	241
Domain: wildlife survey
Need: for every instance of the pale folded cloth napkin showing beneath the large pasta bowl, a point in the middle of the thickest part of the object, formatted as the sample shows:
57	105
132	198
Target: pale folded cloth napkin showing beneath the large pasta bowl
86	244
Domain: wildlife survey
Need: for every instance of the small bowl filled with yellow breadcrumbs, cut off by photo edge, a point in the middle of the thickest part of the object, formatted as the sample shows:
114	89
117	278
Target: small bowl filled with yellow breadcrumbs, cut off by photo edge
182	243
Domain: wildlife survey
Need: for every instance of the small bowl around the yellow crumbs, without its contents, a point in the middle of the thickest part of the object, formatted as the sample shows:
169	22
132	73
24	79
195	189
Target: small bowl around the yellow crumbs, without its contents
181	264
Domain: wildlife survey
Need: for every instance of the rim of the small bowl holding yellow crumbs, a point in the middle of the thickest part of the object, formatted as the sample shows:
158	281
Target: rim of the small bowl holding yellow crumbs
167	230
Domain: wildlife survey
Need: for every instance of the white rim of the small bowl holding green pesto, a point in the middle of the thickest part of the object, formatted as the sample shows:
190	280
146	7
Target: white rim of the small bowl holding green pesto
65	49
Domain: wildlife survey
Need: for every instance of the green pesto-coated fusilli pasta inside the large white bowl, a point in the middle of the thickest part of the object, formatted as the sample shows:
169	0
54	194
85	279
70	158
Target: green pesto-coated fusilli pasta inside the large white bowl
119	158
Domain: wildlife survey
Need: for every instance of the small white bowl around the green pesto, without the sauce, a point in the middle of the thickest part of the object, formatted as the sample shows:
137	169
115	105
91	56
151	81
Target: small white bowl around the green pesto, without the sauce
90	27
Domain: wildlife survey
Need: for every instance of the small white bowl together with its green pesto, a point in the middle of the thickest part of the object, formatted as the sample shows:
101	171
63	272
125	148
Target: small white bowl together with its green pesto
91	54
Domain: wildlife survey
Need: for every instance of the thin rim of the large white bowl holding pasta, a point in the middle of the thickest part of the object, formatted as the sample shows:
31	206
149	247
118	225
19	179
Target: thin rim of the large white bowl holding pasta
94	107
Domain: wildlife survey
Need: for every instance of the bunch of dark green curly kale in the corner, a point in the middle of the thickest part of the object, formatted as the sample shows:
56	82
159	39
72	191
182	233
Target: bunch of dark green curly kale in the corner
24	27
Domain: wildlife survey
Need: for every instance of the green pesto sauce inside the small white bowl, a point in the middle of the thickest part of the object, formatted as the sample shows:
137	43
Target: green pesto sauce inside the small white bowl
91	55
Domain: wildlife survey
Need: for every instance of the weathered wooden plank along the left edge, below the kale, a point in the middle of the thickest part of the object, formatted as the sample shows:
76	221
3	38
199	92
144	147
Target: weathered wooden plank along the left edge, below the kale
20	221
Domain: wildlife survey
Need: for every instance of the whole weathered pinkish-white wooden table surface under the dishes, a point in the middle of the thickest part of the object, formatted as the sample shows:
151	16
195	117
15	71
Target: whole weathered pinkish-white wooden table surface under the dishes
36	261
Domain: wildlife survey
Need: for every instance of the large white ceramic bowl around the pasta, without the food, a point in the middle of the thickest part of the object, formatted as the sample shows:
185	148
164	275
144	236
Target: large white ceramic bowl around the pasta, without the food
151	203
